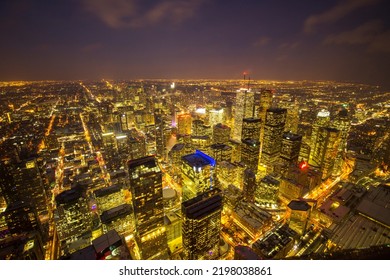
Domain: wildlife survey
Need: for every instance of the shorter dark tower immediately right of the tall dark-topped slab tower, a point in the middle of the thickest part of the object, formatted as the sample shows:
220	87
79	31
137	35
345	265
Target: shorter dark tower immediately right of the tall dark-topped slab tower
291	145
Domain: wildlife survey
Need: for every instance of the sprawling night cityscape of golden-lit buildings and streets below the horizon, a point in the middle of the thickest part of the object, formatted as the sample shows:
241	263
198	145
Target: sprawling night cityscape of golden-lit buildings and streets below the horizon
154	169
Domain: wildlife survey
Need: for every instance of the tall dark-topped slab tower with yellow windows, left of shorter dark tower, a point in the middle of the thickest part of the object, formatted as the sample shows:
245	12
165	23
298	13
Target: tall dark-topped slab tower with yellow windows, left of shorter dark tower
273	135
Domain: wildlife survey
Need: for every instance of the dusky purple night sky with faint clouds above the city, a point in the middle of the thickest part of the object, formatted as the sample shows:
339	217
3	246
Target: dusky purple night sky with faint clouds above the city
342	40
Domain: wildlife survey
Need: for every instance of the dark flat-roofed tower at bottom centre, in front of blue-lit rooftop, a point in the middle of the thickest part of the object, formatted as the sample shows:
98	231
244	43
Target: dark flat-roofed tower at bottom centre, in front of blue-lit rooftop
201	225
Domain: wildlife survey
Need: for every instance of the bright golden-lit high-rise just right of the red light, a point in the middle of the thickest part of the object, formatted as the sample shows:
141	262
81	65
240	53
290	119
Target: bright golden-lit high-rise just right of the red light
325	150
